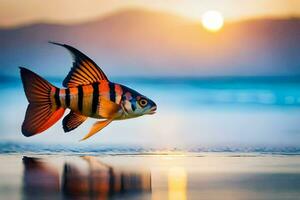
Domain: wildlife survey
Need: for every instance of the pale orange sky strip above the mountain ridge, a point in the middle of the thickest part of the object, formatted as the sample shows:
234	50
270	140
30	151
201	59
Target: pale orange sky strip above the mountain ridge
18	12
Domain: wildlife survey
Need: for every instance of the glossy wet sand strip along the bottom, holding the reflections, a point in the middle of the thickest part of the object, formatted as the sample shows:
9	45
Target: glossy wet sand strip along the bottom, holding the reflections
200	176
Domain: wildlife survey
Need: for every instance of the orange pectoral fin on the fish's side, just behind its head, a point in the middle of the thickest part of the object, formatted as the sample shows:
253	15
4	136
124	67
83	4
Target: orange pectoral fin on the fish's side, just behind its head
107	109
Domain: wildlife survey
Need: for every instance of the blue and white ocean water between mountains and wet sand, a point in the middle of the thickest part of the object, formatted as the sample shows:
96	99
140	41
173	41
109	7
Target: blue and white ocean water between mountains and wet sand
194	114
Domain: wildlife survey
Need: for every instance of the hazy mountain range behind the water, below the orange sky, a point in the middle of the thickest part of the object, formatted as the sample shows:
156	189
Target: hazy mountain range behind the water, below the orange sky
151	43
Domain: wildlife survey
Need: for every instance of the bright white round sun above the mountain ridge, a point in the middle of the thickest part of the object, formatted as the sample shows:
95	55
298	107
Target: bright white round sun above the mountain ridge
212	20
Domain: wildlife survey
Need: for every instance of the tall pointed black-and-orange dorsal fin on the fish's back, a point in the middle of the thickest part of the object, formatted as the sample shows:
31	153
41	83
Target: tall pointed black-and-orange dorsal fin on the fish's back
84	71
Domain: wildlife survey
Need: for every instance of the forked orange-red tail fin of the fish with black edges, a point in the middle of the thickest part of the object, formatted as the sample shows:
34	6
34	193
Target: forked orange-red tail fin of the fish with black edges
40	114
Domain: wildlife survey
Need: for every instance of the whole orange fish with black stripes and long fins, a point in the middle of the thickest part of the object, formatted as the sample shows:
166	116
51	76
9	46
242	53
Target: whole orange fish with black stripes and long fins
87	93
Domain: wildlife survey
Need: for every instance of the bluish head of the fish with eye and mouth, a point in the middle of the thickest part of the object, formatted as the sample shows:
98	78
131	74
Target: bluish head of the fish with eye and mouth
136	104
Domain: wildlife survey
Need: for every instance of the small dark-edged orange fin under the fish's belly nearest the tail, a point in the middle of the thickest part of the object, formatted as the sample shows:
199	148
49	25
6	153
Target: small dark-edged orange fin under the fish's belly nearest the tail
72	121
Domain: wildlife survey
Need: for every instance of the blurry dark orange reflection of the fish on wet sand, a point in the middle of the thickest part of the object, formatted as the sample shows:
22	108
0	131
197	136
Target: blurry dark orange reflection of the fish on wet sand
98	181
